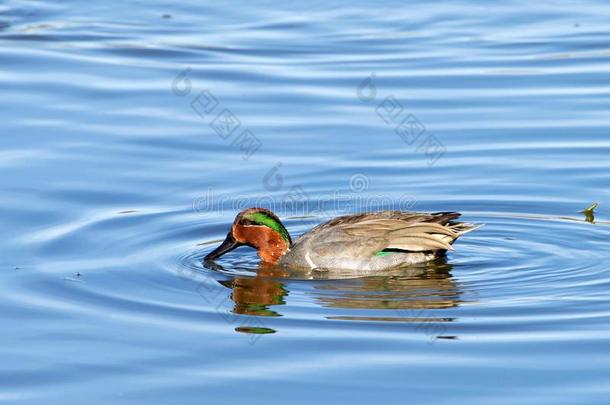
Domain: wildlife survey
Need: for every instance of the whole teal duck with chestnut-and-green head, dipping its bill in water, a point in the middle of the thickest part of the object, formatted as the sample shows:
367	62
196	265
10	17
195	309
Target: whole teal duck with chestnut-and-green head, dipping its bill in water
369	241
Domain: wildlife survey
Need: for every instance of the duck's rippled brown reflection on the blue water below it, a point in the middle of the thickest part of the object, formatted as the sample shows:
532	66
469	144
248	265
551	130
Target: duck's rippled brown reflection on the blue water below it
406	295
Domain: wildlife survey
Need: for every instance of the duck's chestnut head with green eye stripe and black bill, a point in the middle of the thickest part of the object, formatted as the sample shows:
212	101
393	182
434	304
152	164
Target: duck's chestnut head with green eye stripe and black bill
258	228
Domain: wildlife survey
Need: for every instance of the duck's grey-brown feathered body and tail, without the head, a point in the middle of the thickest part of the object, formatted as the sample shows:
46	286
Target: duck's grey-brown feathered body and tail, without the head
375	241
